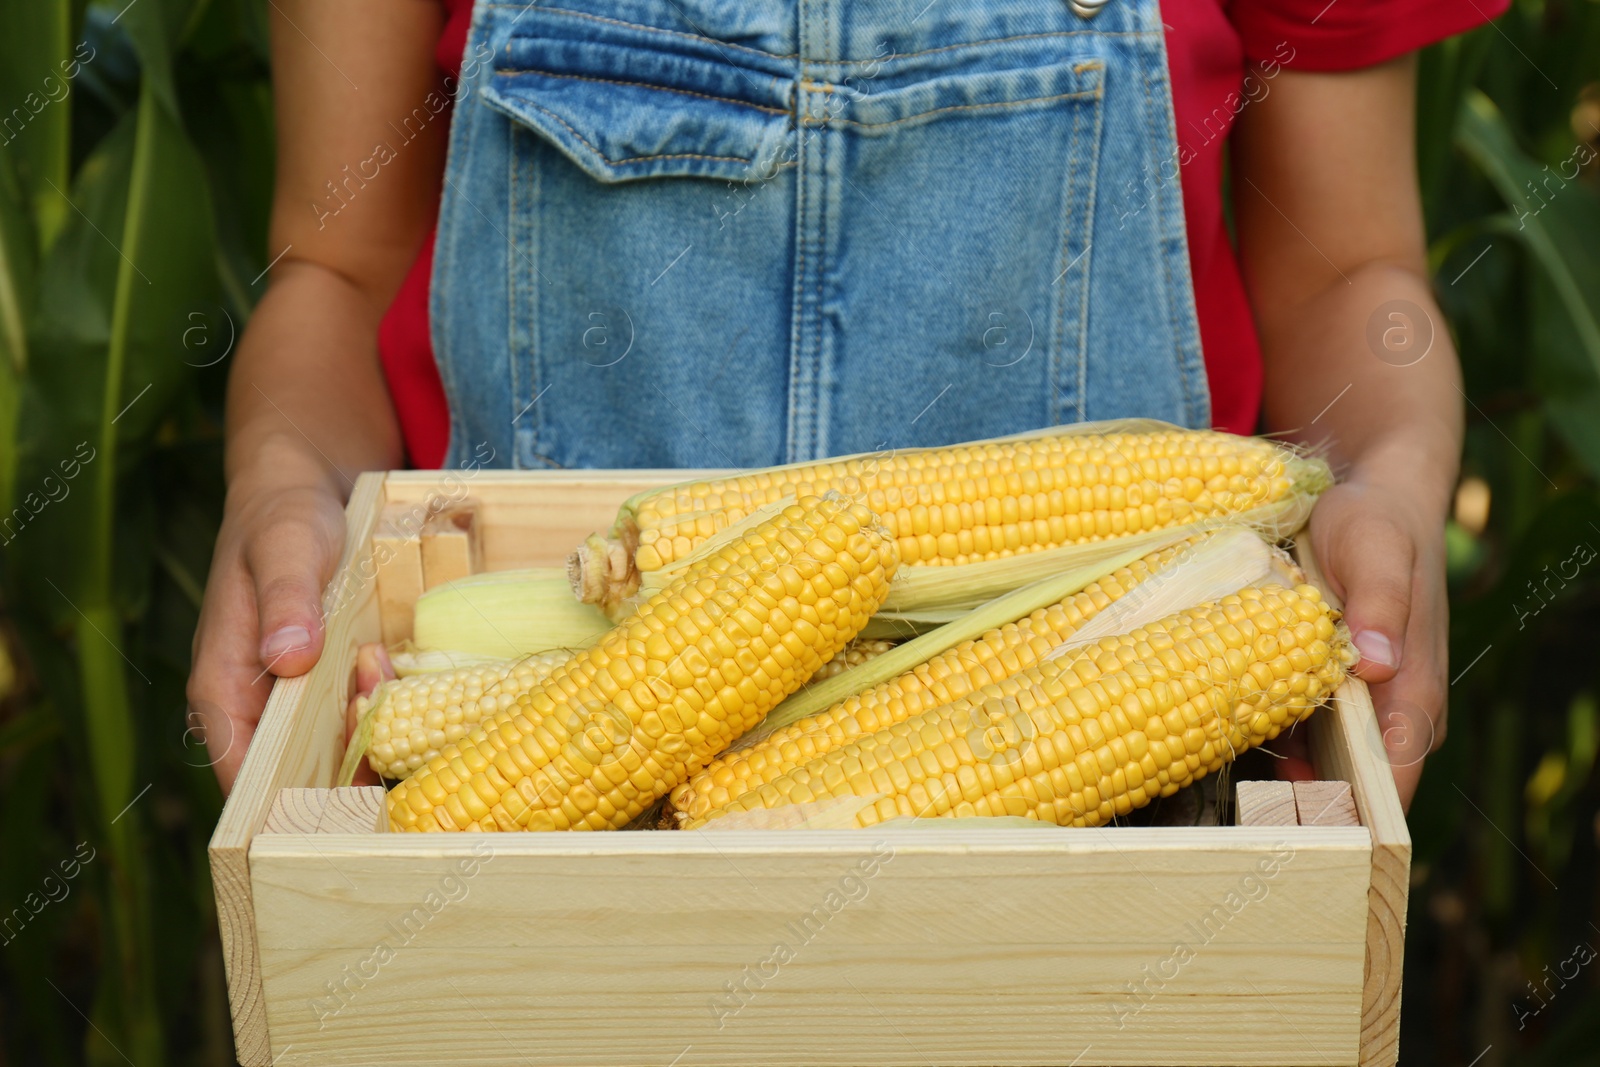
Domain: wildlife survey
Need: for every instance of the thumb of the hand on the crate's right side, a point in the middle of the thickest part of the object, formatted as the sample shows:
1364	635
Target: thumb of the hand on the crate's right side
1374	561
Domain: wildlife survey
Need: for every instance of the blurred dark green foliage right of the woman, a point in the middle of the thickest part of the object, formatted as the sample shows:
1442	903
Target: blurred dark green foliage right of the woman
1506	821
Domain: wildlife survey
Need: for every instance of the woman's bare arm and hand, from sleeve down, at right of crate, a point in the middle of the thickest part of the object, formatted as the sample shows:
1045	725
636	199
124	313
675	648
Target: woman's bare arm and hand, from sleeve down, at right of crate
1361	366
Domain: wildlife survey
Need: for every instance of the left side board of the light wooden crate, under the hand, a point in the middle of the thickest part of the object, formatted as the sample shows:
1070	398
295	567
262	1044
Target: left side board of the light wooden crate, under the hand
298	743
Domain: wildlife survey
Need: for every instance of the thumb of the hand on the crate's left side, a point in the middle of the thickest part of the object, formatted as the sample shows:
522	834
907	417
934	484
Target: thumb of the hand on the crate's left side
290	562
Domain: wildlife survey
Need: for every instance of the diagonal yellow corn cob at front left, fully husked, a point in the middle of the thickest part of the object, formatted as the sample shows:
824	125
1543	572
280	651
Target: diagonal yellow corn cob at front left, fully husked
698	665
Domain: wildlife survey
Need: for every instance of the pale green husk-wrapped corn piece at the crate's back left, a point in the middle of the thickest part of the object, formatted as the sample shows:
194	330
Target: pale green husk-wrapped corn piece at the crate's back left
505	615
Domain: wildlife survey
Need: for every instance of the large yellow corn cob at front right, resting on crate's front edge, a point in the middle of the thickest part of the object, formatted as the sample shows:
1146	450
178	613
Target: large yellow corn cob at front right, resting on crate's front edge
1095	735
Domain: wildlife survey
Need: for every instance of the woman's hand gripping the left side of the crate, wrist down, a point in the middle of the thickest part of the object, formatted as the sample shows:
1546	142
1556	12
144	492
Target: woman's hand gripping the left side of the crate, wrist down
262	618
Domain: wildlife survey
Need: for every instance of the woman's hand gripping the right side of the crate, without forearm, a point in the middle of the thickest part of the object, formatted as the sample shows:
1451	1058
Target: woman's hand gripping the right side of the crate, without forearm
1383	553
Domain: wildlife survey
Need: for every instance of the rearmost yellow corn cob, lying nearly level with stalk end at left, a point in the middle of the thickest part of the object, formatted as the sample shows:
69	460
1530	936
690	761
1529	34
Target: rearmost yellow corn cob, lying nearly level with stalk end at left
969	503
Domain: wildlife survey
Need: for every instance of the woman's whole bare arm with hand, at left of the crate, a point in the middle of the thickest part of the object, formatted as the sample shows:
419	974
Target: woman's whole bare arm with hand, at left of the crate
308	406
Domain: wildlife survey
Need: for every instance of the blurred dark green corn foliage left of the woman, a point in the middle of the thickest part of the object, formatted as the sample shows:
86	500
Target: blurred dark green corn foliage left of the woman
135	172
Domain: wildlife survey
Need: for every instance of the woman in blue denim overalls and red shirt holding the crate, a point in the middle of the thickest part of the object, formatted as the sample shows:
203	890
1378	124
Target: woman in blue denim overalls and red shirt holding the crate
692	233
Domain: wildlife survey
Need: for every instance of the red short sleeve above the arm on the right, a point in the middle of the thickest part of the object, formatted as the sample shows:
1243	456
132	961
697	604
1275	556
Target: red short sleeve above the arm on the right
1350	34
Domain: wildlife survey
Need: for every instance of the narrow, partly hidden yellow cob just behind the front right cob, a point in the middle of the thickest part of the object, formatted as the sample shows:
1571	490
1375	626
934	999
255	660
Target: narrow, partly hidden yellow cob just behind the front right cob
950	676
